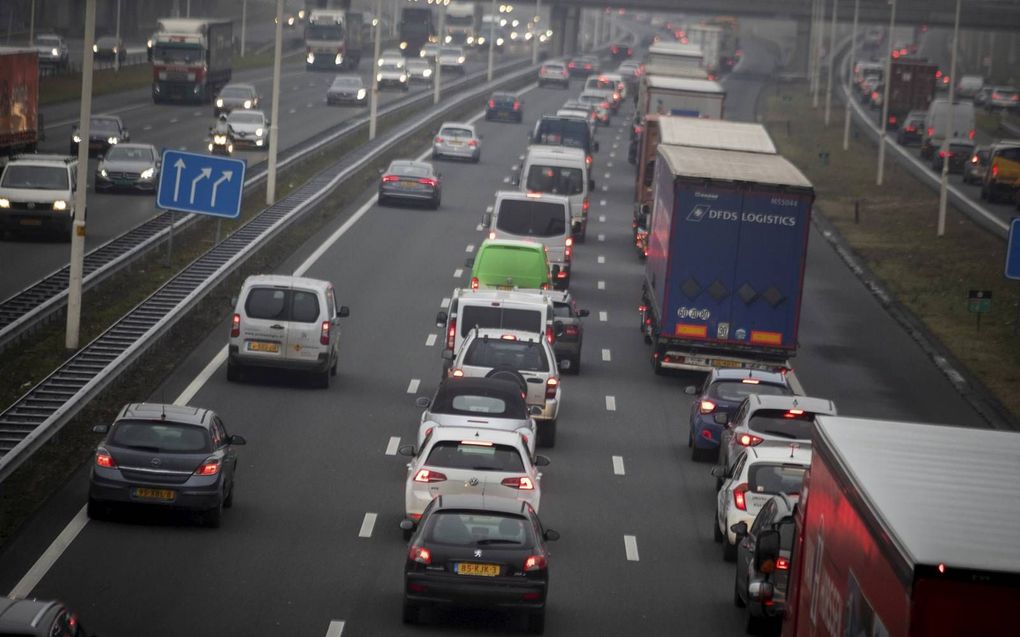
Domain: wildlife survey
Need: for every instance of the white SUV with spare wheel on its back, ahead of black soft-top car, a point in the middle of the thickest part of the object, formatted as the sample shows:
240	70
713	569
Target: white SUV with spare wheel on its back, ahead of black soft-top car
525	358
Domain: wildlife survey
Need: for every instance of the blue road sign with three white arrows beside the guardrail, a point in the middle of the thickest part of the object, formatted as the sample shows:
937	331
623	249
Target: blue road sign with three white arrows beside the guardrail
201	184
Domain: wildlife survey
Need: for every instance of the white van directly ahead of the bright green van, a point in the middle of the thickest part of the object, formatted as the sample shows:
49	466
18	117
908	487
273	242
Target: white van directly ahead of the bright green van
536	218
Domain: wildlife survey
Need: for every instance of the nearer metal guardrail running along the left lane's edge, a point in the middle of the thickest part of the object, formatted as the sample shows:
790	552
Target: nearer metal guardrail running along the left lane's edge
45	409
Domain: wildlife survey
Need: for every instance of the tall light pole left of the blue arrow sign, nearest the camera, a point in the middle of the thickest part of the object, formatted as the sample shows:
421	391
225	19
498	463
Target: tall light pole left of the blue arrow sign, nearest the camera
78	234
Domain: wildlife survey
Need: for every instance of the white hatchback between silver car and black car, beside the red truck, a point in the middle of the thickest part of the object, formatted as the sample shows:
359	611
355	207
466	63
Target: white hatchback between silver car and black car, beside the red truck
758	474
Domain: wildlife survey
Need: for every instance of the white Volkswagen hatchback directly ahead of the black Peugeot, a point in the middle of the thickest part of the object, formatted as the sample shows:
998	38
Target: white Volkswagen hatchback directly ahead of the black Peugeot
464	461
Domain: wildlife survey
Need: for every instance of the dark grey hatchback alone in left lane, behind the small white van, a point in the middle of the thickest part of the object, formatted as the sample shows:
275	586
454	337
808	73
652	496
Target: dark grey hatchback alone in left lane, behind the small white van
165	455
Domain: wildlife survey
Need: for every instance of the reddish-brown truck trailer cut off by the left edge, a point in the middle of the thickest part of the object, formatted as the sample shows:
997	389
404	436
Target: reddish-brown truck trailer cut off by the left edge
20	130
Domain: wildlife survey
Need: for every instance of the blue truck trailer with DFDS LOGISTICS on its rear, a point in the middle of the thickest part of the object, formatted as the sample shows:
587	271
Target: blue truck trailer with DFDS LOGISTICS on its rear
728	247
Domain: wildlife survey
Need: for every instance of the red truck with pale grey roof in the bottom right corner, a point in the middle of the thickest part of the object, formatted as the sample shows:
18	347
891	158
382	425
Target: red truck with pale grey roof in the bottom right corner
906	530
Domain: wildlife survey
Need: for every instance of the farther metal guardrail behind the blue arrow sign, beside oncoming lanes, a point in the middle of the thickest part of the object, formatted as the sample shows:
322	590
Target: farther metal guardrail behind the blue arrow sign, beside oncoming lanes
37	303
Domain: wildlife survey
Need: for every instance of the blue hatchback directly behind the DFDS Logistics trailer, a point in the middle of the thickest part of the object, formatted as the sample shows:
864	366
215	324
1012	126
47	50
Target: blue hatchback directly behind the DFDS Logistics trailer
720	397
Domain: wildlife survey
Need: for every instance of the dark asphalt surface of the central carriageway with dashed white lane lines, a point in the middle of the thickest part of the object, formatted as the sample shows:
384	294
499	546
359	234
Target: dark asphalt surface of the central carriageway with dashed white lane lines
299	554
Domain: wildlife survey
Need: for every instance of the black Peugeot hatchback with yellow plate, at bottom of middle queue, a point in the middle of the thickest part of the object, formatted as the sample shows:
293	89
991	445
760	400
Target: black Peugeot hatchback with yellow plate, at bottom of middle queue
474	551
